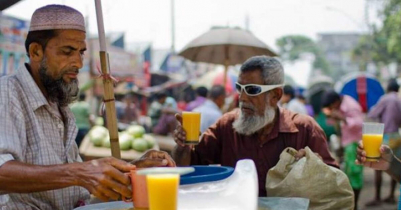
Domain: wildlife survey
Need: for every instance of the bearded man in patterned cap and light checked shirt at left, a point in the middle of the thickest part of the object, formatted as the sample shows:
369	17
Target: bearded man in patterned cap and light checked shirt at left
40	166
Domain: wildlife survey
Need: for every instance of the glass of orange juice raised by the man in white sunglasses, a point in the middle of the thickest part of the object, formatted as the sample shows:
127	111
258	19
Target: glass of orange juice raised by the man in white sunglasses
191	123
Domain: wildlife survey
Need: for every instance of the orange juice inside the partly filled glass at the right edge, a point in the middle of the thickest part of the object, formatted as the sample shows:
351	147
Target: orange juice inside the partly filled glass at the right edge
371	145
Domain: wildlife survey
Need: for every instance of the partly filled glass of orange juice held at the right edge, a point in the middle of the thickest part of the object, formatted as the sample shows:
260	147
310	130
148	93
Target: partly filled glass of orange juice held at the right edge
372	138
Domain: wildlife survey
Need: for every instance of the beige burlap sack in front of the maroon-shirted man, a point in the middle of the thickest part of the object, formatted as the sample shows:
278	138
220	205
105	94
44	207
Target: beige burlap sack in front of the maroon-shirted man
326	187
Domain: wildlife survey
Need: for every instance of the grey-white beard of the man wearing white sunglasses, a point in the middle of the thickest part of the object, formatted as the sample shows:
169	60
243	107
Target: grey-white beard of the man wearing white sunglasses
248	125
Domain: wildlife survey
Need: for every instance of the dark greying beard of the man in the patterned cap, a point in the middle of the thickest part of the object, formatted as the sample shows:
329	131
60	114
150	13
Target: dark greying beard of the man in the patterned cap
58	90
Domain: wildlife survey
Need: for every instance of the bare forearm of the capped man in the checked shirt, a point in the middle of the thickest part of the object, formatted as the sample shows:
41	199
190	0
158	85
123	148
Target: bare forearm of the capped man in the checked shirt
17	177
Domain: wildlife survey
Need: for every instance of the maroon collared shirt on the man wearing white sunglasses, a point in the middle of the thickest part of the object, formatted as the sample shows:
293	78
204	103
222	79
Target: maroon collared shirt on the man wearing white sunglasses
221	144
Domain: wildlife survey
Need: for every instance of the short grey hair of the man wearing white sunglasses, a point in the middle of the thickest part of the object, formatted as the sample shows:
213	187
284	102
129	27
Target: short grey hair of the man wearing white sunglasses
272	70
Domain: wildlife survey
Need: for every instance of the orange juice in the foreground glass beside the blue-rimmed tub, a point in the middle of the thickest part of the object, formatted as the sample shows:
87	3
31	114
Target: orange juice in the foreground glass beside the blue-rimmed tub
162	191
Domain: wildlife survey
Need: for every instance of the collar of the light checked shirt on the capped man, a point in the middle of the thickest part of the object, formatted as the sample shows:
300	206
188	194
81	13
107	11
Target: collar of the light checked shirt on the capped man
34	94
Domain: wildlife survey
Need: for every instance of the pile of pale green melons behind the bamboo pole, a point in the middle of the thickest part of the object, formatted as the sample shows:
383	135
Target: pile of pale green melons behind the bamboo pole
132	138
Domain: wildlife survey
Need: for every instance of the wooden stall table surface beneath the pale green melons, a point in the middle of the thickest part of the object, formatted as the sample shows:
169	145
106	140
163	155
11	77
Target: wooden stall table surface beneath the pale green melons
89	152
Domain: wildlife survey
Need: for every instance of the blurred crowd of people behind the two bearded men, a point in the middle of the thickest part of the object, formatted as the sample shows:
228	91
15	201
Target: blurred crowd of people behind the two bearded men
340	117
